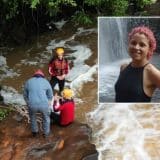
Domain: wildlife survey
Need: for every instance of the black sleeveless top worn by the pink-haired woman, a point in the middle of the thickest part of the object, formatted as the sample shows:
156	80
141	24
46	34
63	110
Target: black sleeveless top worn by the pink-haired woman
129	86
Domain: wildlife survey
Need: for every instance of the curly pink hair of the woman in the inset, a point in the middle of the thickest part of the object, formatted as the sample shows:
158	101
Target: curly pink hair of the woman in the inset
149	34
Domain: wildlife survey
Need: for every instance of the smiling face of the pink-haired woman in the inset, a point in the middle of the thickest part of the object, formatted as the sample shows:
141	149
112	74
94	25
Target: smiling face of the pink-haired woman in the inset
138	47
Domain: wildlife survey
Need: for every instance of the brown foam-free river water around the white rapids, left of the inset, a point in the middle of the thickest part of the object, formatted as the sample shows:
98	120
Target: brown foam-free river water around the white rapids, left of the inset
24	61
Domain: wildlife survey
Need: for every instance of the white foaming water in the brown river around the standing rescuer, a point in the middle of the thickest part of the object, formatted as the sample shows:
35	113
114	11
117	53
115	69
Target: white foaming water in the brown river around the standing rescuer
78	75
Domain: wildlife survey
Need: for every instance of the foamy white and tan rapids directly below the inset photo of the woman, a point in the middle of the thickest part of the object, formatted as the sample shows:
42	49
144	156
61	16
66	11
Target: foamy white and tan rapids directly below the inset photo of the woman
126	131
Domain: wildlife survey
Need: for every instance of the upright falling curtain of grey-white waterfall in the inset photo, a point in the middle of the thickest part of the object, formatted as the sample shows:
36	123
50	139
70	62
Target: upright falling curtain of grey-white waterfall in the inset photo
112	39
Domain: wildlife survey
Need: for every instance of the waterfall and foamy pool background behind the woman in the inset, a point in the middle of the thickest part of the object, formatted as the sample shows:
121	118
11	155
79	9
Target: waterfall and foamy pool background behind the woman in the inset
113	53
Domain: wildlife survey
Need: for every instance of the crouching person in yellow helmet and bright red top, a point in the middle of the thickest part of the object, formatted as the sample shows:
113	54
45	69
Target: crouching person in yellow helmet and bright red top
65	106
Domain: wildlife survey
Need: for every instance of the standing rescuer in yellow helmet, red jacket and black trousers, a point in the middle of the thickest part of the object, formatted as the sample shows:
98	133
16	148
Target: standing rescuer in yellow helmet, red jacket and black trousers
58	69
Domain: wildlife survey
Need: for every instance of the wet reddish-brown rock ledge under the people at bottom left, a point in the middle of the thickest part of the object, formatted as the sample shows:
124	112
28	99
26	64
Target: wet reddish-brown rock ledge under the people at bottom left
71	143
